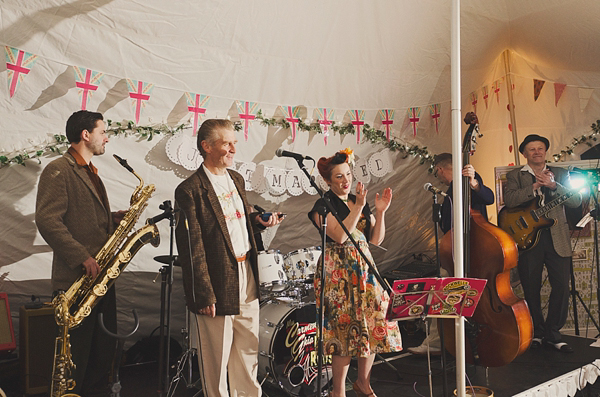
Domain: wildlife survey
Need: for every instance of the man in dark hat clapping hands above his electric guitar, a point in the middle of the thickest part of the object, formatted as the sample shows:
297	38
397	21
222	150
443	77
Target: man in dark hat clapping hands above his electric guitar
554	246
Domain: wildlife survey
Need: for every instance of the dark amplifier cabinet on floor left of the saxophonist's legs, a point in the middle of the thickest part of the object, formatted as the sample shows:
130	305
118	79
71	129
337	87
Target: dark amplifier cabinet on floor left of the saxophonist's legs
37	333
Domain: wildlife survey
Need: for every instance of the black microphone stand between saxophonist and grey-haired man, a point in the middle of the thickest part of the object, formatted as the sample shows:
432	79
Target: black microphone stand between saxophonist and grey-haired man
165	302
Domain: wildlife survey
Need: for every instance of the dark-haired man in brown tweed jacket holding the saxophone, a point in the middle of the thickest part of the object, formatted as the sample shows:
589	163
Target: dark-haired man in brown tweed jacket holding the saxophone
73	216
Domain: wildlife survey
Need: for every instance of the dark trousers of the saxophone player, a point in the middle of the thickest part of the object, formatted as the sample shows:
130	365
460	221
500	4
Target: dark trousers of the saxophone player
92	349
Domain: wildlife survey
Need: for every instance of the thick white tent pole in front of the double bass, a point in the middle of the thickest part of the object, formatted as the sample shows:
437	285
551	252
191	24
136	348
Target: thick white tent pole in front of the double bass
455	91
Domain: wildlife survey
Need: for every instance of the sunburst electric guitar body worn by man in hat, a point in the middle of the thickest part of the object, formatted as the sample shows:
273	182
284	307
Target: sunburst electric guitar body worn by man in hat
523	225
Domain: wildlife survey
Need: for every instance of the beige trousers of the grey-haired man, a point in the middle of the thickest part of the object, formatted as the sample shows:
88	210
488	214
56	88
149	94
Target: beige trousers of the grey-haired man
228	345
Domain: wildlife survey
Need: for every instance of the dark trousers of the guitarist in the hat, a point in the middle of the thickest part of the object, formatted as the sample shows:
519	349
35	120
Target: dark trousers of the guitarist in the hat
531	265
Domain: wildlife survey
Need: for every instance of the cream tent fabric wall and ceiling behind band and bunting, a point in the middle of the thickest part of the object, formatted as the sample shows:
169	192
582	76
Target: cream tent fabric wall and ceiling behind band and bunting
340	54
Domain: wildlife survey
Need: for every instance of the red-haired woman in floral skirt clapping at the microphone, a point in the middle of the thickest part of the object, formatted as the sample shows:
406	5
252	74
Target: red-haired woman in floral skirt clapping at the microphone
355	303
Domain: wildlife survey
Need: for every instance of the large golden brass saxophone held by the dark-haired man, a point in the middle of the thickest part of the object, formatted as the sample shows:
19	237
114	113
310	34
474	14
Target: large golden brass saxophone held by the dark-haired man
74	305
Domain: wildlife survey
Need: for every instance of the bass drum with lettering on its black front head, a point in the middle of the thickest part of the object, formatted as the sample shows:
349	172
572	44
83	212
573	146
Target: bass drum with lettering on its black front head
288	354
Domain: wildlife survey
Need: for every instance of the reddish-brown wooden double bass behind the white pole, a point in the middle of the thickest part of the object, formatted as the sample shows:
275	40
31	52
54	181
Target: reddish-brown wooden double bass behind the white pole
501	327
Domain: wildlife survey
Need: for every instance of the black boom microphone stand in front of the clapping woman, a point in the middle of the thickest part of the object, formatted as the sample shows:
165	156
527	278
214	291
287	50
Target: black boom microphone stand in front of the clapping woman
320	314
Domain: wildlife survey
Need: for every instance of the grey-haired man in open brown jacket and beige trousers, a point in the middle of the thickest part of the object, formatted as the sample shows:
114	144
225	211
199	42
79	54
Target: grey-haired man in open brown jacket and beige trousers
218	255
